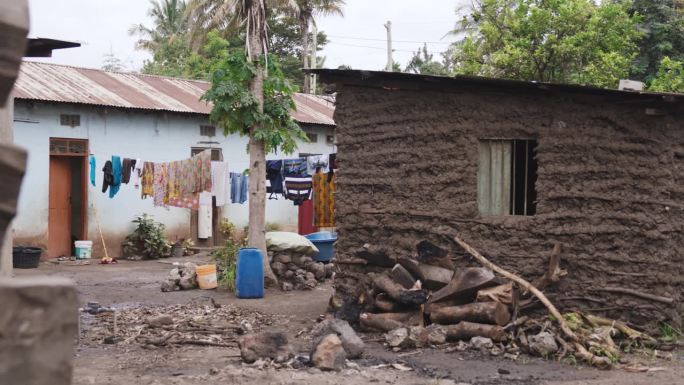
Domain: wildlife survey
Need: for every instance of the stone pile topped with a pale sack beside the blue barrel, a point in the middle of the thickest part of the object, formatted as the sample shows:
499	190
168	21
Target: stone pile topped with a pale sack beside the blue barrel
291	257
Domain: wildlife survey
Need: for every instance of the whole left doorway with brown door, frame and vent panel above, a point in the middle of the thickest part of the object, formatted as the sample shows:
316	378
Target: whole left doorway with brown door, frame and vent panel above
67	195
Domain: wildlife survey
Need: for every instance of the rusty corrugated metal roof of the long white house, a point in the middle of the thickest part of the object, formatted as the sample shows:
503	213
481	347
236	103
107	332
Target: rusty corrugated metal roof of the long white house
66	84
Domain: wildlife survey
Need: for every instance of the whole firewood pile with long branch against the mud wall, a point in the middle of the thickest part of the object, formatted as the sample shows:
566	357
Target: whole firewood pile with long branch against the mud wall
427	301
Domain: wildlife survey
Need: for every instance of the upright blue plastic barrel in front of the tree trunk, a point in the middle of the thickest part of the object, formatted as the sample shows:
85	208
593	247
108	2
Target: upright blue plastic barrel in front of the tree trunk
249	274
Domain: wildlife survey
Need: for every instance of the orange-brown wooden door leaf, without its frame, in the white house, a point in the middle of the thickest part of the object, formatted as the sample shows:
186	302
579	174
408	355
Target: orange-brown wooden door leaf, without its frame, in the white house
59	217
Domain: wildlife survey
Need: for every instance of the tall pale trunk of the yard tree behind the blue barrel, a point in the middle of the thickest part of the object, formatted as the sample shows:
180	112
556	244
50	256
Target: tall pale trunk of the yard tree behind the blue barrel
257	157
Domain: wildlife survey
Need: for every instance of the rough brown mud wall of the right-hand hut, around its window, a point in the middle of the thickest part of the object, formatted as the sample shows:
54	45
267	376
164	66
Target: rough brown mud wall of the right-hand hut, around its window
610	186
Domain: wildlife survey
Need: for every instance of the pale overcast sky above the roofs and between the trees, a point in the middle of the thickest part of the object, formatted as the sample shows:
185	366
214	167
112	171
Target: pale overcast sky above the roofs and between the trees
357	39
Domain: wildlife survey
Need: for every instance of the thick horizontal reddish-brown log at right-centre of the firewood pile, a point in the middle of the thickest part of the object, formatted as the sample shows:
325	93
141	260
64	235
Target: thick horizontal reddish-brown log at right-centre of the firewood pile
485	312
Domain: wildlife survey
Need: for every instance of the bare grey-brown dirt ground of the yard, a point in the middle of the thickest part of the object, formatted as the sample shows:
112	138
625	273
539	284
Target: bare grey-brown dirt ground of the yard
133	284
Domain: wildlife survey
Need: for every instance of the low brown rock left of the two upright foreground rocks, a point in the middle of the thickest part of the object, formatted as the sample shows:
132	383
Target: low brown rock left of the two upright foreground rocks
270	345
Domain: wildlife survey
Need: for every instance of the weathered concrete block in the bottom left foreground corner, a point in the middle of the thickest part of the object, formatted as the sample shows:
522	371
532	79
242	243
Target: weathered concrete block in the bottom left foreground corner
38	330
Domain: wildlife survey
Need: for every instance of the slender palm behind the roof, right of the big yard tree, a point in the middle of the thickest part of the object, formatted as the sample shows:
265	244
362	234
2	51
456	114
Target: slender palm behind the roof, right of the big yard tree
305	11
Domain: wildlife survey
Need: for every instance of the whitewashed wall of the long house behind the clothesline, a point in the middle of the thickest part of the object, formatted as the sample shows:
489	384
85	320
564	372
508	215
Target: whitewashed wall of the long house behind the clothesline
150	136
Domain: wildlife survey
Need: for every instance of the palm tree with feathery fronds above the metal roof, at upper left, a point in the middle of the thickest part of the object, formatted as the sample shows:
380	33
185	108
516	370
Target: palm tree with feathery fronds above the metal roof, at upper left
169	24
